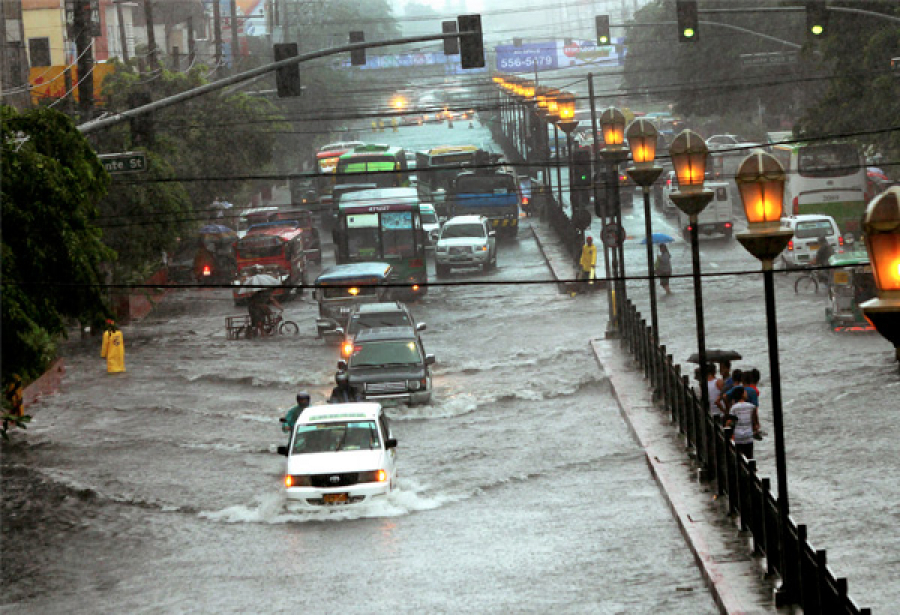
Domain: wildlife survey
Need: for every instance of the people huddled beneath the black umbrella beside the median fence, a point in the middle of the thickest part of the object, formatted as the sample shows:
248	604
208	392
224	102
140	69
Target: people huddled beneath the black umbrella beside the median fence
734	402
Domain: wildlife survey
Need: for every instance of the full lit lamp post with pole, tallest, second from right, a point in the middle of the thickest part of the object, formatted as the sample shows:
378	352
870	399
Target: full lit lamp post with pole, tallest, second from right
760	179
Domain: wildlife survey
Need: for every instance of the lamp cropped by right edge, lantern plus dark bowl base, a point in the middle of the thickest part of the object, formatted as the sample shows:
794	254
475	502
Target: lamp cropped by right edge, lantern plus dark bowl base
881	226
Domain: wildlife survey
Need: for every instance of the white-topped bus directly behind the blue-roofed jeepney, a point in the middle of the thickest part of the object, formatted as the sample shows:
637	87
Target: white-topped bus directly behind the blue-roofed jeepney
384	224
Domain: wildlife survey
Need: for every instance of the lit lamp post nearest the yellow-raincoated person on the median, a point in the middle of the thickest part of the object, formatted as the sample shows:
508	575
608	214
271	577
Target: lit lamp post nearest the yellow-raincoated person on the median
614	153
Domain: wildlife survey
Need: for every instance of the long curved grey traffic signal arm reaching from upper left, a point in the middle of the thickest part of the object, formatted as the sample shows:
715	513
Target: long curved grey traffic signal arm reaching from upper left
118	118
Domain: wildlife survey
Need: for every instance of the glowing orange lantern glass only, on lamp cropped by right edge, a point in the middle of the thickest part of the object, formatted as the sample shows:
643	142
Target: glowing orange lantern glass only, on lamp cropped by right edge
881	225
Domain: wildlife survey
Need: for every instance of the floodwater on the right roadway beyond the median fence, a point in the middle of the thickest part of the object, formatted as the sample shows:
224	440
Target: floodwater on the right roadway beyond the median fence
839	392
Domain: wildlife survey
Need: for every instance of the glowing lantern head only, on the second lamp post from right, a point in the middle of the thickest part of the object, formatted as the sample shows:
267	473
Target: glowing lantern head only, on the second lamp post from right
760	179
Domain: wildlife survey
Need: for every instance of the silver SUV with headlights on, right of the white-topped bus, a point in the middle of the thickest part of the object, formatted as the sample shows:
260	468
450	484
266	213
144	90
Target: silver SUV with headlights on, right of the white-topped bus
465	241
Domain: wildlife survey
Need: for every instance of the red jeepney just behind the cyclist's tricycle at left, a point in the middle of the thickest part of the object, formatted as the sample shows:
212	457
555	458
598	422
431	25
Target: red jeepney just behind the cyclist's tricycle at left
274	248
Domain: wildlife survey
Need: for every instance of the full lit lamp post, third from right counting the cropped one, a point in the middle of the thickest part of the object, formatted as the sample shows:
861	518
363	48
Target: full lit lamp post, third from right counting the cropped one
688	152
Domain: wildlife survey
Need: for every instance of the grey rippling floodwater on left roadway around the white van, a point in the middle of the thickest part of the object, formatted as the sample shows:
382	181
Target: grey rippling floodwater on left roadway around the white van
520	487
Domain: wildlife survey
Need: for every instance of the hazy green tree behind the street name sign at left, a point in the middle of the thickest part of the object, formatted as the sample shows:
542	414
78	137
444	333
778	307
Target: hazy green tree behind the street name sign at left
202	149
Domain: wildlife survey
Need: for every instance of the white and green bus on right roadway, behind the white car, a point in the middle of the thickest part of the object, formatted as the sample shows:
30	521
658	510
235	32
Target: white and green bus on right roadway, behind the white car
824	178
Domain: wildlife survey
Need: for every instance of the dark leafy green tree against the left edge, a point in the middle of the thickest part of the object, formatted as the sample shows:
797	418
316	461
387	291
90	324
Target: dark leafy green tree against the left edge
52	181
